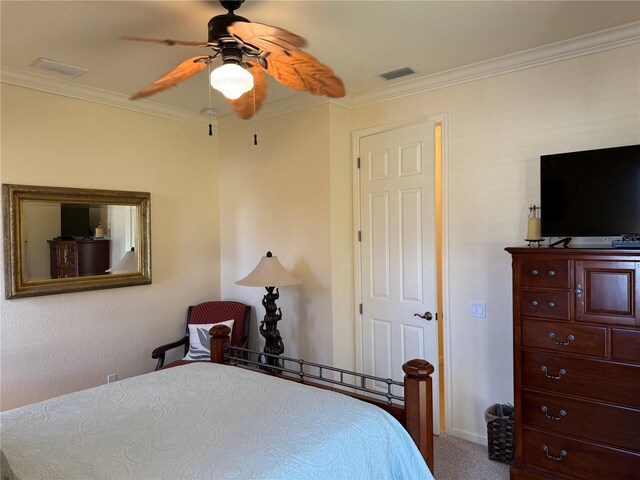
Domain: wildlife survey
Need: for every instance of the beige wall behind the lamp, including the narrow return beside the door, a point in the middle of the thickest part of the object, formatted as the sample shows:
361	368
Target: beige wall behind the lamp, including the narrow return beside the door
292	194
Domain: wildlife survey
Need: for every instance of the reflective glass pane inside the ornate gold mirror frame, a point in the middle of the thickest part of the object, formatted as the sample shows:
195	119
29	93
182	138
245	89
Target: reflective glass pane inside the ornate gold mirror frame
65	240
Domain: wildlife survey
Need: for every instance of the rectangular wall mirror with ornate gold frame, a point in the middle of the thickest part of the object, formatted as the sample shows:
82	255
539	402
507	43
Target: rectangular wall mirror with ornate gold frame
60	240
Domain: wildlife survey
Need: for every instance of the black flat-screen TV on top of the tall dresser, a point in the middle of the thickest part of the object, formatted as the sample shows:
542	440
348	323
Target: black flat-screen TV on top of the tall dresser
591	193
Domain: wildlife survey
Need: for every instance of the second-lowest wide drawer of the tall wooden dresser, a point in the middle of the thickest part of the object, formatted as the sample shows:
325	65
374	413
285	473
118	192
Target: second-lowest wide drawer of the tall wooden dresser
616	426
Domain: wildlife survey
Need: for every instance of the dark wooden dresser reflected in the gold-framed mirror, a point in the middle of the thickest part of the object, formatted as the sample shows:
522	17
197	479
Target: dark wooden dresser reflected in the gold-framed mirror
78	258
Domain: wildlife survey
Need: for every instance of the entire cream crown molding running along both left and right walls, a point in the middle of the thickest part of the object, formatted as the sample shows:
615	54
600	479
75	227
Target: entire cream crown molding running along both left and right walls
616	37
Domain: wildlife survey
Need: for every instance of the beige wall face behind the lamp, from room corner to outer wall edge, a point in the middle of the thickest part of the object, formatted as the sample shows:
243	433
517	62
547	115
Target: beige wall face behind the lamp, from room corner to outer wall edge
275	197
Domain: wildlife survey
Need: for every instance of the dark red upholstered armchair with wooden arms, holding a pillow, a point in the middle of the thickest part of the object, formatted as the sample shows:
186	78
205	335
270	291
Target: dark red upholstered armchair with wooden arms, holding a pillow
196	340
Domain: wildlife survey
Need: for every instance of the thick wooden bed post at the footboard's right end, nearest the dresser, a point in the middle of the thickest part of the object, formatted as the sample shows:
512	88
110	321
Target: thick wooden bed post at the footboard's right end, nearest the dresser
418	406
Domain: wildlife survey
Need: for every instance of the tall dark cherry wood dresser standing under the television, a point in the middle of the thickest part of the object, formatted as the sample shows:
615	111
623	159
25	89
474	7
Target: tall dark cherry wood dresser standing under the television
576	327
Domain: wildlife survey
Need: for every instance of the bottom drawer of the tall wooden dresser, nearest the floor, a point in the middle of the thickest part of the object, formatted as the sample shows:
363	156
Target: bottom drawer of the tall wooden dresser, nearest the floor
574	457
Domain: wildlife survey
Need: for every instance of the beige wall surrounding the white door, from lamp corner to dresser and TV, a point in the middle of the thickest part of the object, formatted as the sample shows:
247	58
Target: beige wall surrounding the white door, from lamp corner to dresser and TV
494	133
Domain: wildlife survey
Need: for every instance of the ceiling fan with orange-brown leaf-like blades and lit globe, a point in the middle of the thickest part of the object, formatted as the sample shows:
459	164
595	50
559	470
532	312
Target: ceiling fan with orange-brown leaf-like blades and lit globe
249	50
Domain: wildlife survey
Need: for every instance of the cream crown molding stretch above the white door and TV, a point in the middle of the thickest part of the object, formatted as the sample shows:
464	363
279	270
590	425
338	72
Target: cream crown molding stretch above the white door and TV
616	37
